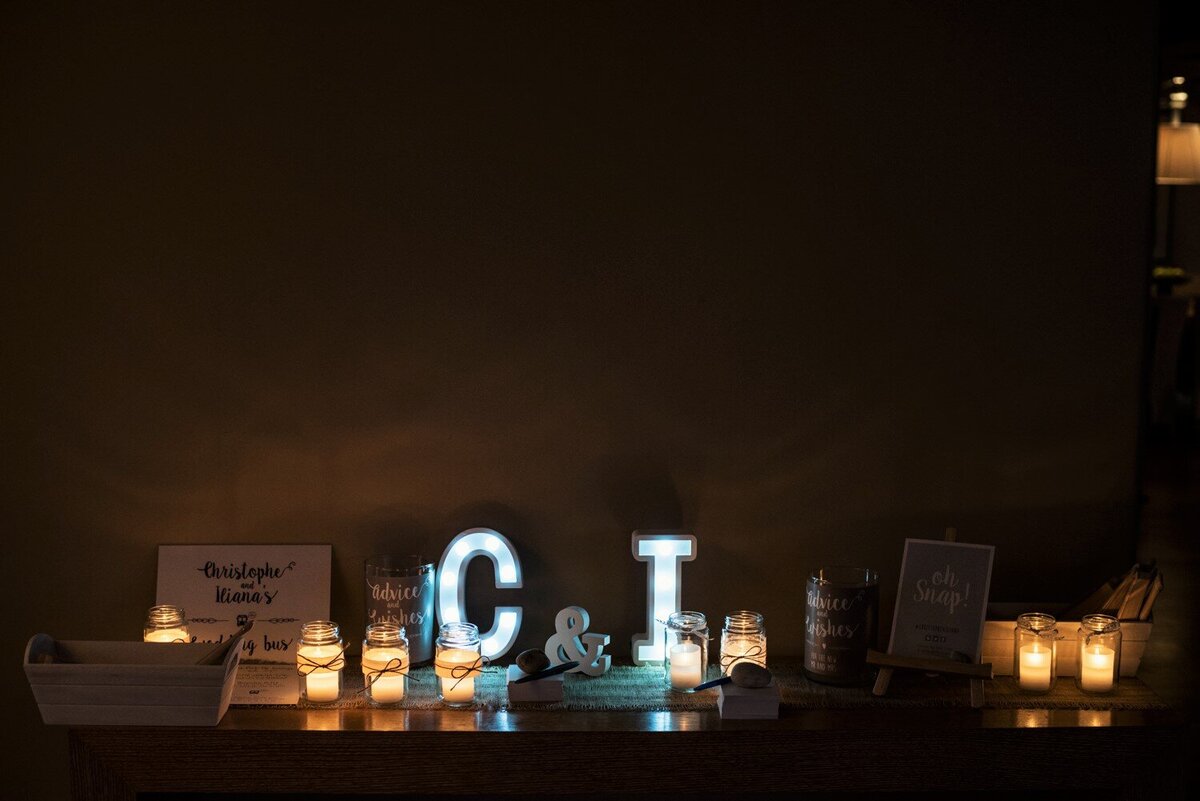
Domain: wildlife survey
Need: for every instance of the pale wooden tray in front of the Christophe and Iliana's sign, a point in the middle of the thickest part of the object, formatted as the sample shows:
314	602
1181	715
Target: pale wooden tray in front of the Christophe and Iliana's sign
81	683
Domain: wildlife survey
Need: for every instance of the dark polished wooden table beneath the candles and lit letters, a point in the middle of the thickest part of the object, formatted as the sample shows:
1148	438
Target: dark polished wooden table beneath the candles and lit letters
559	752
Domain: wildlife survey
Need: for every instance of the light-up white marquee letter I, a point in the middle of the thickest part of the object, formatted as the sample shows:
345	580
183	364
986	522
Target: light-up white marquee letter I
664	553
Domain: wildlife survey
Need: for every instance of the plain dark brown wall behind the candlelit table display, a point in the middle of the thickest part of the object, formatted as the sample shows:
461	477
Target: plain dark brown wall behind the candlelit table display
805	279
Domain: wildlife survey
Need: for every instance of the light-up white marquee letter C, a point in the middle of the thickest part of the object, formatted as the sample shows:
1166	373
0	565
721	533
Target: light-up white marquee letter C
453	577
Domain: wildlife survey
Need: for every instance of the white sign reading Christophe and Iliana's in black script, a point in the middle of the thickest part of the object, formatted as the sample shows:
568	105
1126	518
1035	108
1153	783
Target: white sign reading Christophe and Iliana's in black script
221	586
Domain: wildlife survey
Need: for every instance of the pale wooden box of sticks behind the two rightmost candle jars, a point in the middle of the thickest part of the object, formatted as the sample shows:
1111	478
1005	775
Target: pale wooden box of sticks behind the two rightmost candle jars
998	641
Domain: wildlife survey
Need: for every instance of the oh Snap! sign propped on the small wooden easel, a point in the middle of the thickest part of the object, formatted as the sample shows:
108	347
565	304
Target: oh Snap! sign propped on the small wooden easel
943	600
